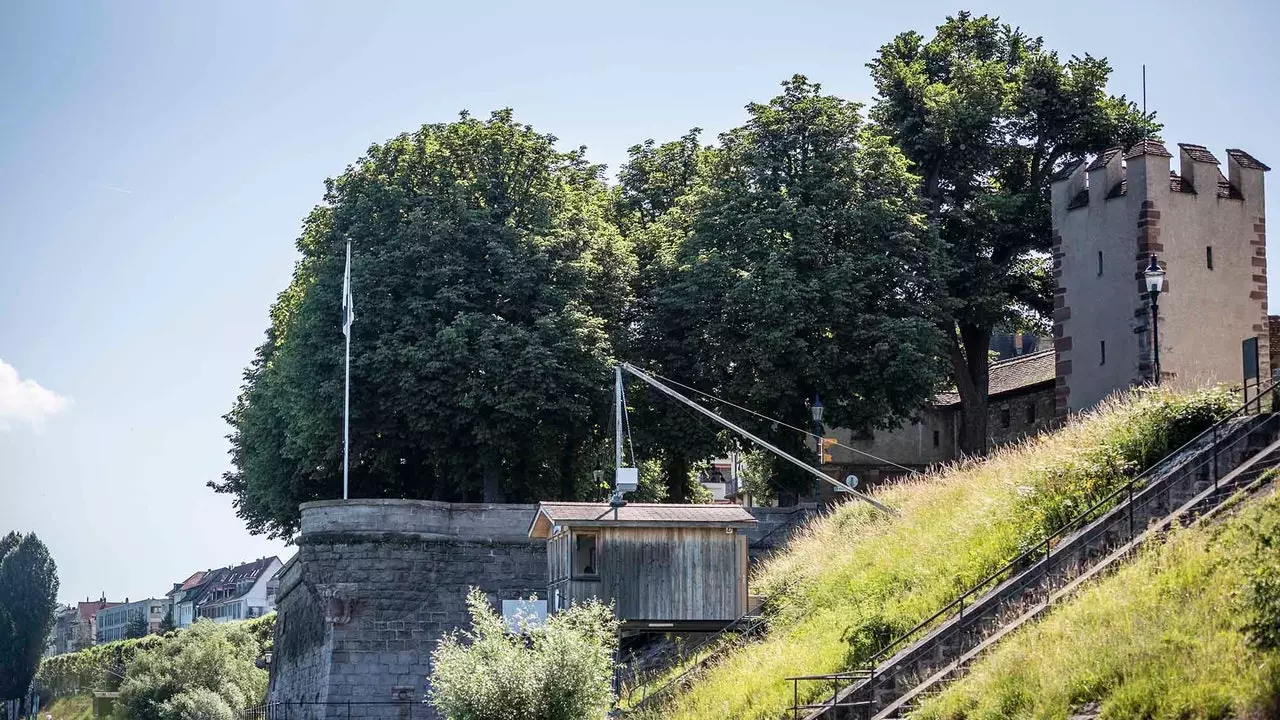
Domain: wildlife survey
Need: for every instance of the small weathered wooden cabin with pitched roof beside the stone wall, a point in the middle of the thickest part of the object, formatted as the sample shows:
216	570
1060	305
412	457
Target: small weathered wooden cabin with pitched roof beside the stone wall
670	567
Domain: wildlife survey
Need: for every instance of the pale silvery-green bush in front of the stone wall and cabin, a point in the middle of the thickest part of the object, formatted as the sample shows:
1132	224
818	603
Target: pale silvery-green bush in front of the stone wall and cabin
561	671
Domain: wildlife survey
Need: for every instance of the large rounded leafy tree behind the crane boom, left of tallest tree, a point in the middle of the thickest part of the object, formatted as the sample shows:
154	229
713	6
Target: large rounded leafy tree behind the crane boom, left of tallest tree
801	263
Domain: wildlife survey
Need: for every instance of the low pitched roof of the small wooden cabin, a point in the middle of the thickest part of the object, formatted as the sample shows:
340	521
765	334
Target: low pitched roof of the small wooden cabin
637	516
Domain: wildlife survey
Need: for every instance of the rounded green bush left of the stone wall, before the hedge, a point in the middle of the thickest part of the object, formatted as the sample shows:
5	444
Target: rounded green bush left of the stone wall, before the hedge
204	673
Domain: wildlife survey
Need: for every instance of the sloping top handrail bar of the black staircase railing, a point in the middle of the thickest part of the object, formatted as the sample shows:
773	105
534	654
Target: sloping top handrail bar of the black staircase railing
1128	487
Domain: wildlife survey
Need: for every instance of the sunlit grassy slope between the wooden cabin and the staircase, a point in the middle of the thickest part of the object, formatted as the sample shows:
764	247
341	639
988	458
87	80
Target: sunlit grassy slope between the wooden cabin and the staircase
862	580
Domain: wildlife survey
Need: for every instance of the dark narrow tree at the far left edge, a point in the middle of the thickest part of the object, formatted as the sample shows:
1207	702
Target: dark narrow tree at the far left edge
29	599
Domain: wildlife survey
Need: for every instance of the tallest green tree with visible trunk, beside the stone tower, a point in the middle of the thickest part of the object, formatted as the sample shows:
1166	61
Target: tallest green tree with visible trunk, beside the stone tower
988	115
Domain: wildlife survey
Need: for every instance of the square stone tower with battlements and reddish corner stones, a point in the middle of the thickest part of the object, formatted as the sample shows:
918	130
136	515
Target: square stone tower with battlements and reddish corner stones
1208	231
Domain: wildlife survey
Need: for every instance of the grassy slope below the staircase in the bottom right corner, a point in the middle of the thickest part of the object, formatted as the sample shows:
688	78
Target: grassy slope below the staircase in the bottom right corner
1160	640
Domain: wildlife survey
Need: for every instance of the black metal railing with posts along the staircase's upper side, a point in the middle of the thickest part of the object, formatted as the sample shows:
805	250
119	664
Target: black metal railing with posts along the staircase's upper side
1043	550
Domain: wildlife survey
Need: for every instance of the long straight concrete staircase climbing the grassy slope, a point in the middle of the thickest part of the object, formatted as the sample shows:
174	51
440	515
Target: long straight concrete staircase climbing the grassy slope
1187	485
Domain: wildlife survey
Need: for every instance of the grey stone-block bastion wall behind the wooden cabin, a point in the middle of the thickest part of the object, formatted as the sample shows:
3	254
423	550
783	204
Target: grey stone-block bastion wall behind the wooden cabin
376	584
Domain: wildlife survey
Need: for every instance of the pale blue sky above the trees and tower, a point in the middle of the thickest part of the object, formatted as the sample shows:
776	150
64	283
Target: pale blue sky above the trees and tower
157	161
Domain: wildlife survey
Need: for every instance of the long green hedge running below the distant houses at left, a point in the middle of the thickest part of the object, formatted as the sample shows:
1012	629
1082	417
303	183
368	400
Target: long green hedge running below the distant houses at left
97	667
